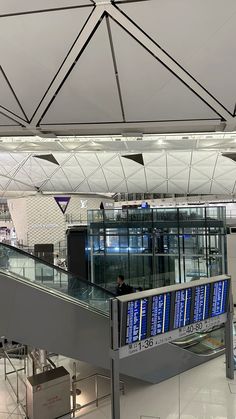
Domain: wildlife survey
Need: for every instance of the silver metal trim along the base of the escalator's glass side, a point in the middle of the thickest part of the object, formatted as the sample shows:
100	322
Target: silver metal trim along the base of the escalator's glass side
54	292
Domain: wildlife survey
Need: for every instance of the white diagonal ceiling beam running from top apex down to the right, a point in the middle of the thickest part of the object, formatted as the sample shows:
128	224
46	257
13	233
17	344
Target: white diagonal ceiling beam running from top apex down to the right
168	62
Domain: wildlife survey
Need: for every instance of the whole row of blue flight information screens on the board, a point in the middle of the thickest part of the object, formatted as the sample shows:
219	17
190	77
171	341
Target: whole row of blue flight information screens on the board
154	315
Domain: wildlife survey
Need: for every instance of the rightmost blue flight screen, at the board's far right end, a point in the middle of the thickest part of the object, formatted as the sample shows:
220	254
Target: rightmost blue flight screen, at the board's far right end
220	292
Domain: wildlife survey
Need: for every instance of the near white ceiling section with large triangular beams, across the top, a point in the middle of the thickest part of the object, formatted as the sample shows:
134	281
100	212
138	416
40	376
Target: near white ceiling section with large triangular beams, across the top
100	67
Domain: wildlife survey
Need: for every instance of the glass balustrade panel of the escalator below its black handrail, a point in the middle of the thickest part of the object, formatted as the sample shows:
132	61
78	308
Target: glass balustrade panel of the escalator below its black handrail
24	266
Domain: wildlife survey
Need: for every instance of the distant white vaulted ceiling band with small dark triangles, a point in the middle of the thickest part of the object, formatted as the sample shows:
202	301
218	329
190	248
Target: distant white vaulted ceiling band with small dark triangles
193	164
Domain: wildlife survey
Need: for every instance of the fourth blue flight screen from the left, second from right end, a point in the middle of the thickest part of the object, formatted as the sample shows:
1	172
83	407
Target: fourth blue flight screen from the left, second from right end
201	303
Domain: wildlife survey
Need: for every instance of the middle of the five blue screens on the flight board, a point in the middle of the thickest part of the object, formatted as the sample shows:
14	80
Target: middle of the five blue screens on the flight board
183	299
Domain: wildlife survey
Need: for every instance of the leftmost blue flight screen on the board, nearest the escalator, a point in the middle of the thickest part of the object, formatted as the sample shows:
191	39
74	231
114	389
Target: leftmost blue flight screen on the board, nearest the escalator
136	327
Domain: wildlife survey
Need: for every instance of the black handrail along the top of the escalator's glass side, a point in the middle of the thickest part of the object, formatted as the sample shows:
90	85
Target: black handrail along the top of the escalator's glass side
70	274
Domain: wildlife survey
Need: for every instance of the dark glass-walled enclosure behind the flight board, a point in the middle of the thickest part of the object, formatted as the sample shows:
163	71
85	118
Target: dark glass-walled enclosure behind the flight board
156	247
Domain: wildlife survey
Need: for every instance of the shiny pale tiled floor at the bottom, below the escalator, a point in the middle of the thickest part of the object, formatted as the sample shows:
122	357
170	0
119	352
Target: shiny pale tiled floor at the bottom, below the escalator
201	393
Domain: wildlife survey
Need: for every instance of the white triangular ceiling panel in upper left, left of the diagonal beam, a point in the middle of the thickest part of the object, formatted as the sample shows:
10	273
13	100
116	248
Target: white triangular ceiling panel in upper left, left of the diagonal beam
32	54
